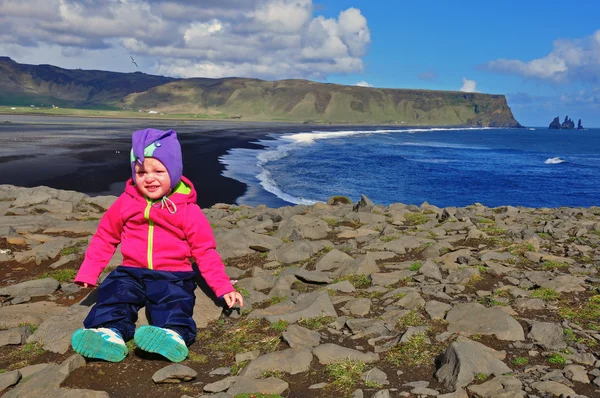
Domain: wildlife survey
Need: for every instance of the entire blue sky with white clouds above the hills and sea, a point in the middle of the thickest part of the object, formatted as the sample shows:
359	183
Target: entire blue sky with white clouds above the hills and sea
543	55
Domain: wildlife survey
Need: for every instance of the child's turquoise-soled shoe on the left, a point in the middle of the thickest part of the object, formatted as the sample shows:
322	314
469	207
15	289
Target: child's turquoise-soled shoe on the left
101	343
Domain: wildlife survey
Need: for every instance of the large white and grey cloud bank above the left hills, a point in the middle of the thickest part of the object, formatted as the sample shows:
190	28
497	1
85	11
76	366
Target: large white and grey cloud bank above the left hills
270	39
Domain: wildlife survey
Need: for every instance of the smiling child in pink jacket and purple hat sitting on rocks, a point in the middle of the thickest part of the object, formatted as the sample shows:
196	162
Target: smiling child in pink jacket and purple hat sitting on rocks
159	226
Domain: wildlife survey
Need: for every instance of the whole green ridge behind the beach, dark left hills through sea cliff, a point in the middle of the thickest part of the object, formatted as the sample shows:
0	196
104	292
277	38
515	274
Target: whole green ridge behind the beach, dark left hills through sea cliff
248	99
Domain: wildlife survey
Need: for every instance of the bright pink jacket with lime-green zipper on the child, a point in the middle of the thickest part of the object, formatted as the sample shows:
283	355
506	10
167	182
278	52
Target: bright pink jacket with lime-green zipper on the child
153	236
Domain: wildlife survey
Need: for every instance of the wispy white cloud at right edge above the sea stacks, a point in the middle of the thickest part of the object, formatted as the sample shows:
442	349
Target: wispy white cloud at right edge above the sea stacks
569	60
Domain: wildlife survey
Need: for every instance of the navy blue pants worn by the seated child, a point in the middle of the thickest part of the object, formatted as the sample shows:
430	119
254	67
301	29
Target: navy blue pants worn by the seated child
168	296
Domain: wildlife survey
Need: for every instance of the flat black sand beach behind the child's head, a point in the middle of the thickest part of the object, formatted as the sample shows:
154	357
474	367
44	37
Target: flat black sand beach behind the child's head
91	155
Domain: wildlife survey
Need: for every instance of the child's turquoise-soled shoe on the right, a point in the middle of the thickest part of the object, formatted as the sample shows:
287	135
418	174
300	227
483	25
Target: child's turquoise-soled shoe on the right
161	341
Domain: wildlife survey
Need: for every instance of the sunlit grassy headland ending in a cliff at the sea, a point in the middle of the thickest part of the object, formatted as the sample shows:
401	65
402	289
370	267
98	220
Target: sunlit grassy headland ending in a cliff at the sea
304	100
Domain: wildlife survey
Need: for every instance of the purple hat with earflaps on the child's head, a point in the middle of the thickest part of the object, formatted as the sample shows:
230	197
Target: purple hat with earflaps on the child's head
161	145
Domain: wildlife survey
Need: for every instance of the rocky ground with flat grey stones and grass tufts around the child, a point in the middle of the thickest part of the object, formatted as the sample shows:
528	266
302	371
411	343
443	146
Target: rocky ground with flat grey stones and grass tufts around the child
342	300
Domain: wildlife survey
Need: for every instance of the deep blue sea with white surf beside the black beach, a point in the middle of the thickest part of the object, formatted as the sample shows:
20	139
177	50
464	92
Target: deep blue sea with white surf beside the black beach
532	167
